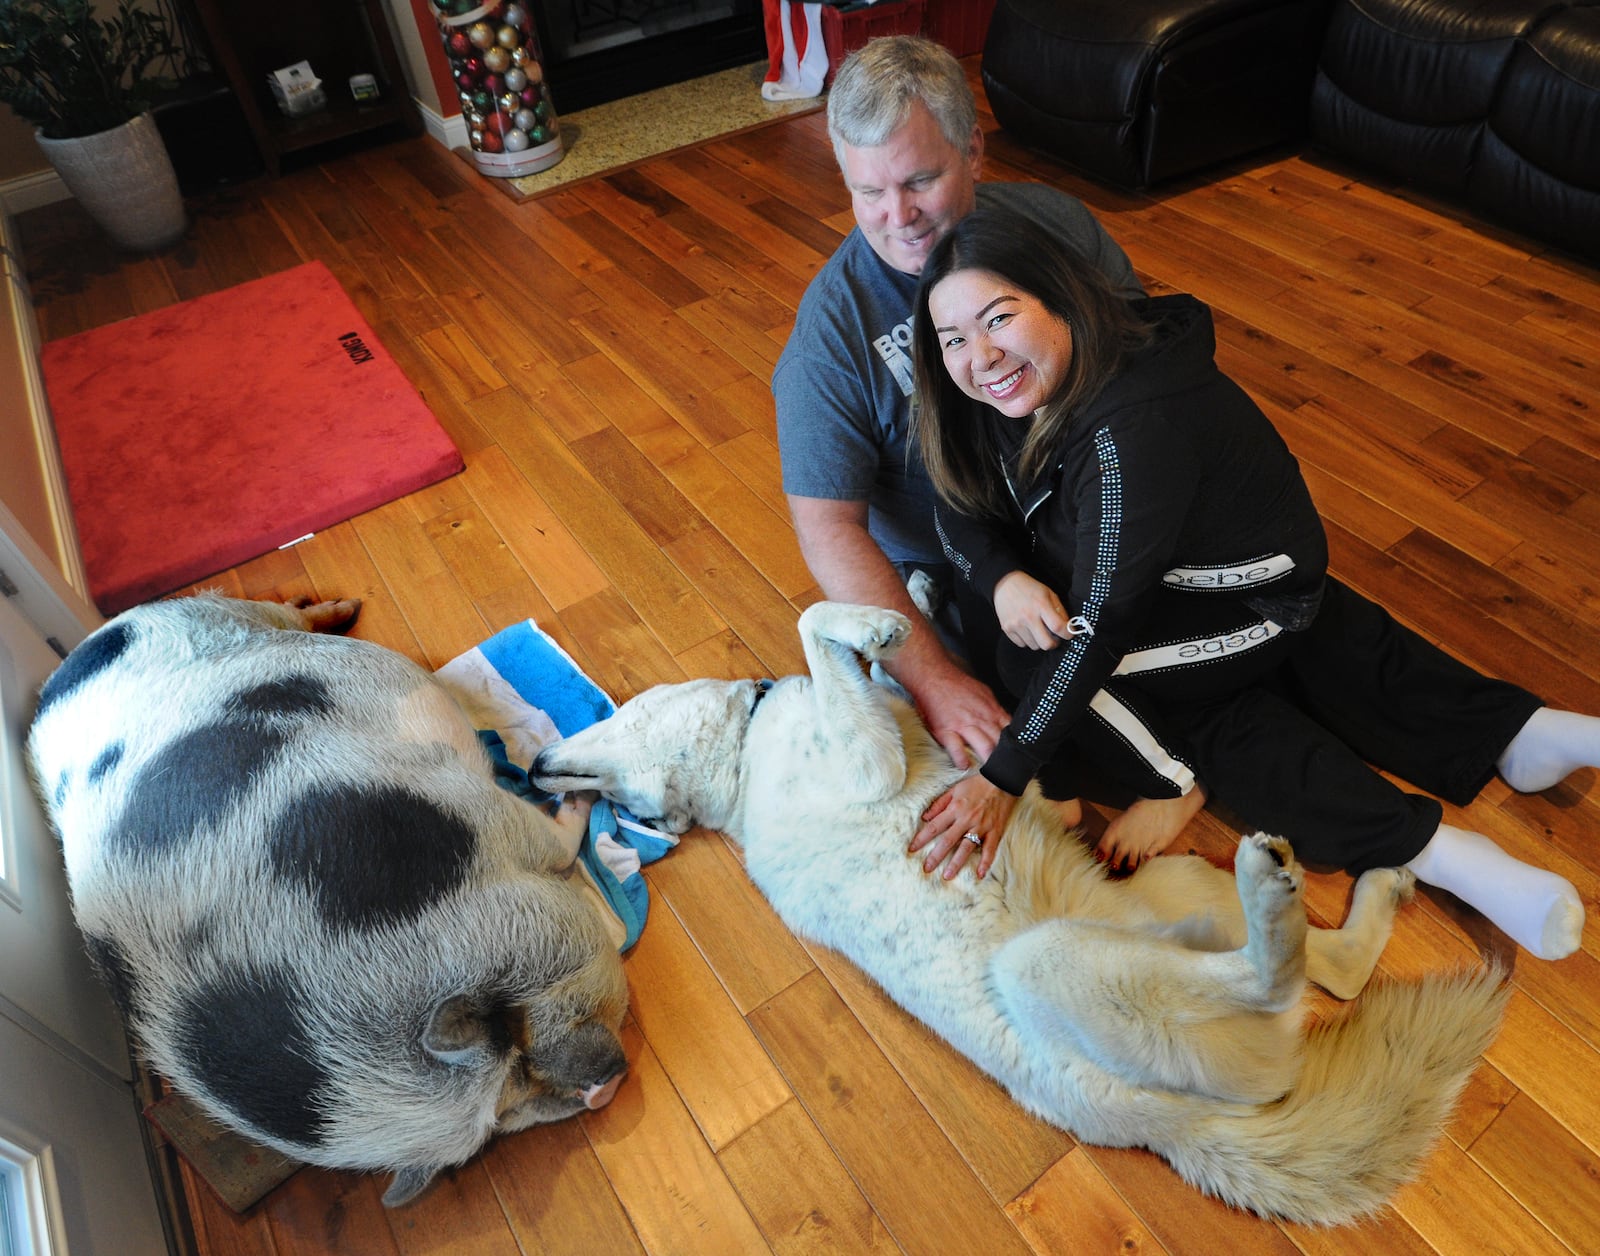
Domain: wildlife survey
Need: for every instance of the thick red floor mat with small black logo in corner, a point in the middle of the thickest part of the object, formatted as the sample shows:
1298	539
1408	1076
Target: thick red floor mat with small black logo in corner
206	434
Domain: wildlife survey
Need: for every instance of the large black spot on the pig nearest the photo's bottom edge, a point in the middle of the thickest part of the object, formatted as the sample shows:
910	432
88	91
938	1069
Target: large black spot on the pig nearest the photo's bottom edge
246	1041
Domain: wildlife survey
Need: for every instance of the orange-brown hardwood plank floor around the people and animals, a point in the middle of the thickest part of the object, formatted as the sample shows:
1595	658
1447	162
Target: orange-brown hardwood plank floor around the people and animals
602	358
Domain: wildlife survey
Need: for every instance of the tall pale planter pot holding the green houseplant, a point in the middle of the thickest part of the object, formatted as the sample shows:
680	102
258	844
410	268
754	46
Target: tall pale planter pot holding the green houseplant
126	182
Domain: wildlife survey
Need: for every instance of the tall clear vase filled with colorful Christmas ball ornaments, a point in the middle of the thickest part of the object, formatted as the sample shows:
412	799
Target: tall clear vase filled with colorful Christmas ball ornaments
495	60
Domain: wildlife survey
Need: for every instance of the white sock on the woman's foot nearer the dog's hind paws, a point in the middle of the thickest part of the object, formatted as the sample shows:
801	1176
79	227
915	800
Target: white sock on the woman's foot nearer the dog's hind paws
1535	908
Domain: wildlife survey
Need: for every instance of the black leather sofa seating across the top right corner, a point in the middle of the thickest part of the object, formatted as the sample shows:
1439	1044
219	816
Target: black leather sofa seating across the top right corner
1495	103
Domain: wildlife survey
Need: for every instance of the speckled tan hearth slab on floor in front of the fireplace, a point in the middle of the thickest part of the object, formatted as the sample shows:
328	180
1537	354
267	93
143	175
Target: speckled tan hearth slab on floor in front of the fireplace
620	134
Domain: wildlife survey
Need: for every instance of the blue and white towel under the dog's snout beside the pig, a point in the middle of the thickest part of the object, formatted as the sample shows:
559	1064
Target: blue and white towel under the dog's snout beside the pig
524	692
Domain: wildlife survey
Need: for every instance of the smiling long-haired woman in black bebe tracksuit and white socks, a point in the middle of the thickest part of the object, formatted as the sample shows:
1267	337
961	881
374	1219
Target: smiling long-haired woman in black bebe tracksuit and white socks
1143	582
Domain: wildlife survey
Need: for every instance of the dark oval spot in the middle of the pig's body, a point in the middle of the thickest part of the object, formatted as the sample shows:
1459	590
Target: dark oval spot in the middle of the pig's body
370	857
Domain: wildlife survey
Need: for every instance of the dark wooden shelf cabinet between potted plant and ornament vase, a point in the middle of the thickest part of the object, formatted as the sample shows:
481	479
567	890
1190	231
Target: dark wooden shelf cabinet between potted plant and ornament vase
338	38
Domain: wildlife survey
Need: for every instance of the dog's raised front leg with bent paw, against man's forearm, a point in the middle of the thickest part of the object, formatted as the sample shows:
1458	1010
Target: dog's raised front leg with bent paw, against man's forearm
854	719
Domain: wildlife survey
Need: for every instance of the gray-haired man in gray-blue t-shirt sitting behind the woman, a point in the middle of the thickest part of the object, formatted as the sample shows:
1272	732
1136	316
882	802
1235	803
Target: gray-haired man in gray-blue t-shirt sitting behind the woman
908	142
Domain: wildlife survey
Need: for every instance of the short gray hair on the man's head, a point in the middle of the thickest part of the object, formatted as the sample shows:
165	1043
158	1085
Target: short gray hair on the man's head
878	84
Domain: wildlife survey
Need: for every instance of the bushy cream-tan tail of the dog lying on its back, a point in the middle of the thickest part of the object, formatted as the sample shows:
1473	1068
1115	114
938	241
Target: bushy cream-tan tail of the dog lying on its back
1377	1090
